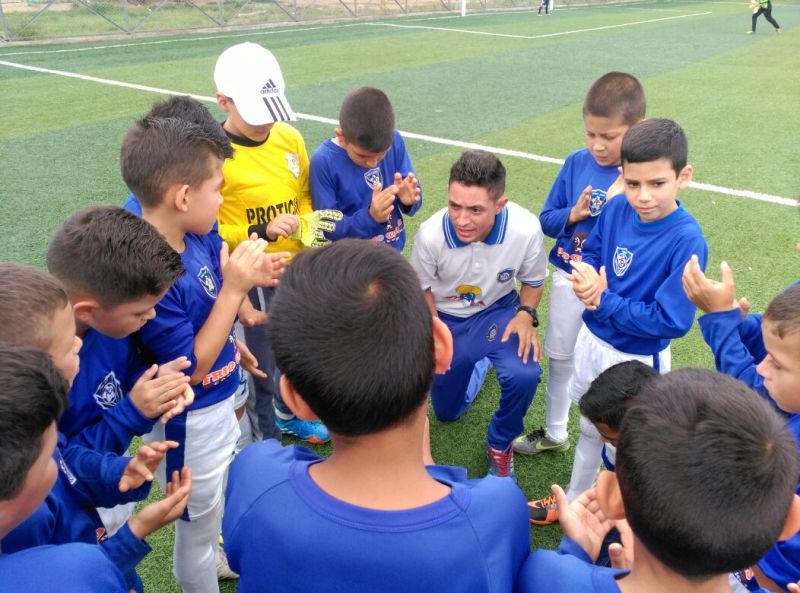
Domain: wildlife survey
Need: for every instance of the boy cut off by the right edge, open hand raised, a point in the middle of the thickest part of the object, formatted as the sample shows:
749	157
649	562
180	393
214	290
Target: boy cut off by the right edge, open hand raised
763	353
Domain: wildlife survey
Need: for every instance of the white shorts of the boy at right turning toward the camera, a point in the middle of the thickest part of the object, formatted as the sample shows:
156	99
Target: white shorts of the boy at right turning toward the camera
593	356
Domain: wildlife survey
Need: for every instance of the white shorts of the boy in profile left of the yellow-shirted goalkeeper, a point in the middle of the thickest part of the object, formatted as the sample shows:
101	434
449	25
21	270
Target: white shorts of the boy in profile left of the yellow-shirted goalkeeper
207	448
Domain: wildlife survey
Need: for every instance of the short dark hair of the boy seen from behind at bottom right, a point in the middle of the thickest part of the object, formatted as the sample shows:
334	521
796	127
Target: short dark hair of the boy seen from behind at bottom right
707	472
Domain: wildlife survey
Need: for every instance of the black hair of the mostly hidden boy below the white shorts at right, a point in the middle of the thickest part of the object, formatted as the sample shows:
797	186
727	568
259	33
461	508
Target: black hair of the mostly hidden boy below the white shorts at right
609	394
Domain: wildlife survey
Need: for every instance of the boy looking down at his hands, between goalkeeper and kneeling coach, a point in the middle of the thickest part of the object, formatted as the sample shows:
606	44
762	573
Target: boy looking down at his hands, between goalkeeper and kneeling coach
365	172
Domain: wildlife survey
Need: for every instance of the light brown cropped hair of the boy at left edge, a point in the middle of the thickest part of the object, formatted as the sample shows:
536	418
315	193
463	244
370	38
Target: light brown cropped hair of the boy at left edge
29	298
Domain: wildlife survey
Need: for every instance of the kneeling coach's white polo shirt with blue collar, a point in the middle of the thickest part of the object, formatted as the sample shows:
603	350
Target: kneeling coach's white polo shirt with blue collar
466	278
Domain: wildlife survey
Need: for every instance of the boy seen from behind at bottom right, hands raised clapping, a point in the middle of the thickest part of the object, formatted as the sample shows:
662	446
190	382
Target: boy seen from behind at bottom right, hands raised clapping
693	521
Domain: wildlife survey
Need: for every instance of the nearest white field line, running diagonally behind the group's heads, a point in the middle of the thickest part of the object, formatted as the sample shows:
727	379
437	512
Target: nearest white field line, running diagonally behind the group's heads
741	193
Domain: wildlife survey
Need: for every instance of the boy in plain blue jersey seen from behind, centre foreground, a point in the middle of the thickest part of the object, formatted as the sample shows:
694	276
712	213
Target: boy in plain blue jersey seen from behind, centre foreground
382	514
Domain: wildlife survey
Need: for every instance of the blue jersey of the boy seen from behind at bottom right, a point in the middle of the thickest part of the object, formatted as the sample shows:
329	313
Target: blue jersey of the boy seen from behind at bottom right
568	569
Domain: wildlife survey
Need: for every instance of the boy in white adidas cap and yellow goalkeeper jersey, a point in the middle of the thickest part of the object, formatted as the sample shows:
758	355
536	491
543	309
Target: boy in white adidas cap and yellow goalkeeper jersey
265	191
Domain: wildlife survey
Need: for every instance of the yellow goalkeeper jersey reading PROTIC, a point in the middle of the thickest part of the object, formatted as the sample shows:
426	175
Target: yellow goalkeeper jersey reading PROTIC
262	181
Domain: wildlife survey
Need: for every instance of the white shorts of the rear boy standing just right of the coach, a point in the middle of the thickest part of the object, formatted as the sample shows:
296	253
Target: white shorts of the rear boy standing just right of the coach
563	318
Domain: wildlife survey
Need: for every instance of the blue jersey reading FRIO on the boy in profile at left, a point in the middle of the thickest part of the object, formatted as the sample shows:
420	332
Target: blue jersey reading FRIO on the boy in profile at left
182	313
